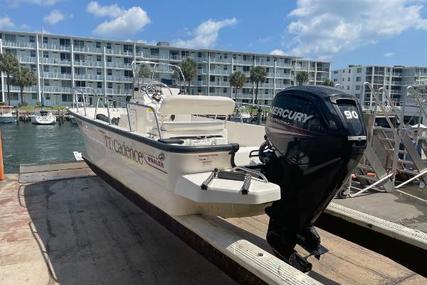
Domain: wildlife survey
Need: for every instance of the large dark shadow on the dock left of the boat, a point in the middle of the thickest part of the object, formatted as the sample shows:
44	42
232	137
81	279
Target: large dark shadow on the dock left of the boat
93	235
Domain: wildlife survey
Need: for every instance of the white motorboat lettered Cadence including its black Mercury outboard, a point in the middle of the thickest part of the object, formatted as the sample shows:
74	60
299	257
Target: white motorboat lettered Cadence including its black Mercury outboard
173	151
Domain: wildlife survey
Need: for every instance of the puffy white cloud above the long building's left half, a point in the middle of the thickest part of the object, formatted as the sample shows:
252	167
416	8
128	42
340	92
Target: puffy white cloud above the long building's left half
129	22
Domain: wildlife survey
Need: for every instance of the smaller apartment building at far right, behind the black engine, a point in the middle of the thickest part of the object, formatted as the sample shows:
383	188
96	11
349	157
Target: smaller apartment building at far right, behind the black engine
394	78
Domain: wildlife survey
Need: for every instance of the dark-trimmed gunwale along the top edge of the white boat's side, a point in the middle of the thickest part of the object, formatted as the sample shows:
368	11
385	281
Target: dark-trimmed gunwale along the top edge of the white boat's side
230	147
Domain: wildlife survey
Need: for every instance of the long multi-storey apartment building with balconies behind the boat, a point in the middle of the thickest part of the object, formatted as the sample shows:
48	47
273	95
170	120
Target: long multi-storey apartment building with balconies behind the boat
63	62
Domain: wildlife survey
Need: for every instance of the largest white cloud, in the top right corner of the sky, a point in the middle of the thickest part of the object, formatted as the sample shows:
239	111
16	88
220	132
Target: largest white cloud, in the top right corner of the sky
322	28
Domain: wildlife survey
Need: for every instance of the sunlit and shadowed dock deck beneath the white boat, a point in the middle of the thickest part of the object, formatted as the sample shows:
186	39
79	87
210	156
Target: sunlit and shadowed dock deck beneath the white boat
61	223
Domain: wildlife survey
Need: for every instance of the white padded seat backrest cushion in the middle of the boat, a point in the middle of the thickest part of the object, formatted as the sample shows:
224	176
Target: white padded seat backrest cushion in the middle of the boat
196	105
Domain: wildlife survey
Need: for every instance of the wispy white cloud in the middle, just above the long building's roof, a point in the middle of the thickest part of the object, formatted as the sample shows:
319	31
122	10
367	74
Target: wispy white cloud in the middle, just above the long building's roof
206	34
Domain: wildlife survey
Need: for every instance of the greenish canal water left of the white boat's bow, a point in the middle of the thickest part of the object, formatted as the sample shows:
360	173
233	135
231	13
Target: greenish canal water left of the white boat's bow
27	143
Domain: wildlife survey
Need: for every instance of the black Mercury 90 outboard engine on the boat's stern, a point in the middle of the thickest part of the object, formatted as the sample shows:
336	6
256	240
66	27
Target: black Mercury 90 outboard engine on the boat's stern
315	137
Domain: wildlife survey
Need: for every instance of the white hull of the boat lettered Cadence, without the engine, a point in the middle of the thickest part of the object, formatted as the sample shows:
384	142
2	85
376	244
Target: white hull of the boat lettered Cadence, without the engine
153	173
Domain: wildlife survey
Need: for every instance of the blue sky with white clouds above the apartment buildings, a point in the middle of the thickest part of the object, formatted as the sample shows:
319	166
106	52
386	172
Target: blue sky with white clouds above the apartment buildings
383	32
